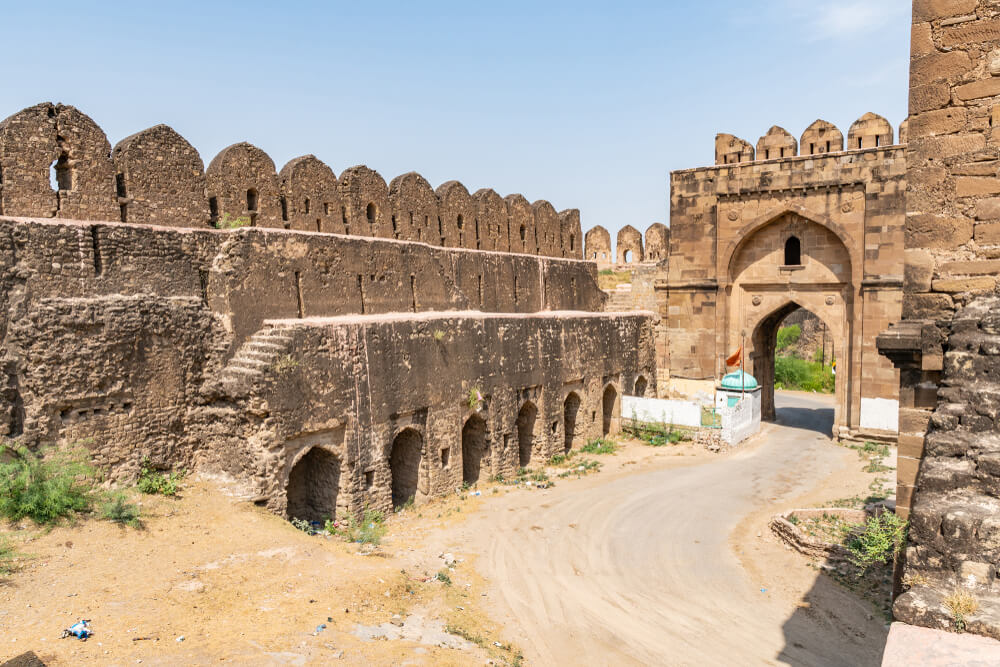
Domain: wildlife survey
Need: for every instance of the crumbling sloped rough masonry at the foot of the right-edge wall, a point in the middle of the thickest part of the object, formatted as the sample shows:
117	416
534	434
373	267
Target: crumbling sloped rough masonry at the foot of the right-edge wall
954	535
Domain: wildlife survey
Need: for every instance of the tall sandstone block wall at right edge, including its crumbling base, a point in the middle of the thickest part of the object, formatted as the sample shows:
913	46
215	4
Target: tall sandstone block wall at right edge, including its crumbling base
947	343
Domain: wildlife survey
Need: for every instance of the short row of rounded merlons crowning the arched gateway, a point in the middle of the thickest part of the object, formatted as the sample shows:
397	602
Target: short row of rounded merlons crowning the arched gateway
869	131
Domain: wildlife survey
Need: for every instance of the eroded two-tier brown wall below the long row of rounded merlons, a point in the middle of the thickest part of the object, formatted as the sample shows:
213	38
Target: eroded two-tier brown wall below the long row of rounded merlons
209	349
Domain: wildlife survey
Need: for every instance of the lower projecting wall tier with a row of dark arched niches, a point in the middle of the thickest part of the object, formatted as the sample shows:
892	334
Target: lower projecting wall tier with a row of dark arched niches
511	361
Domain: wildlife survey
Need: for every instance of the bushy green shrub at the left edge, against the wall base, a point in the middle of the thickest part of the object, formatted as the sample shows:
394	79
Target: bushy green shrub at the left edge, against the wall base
44	487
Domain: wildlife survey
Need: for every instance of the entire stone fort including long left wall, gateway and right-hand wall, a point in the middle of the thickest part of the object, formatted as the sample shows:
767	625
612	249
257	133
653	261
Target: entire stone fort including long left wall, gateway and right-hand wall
338	342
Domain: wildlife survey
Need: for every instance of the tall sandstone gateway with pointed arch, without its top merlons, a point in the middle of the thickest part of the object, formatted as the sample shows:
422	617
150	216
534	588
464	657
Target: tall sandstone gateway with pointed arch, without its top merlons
751	242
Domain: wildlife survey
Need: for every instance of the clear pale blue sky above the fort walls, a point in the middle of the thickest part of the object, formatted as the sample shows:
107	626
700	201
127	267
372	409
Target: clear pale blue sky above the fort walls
586	104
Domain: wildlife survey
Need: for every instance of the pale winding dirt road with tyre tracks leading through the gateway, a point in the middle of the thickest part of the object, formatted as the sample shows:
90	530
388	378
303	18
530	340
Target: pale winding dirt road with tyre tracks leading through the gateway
639	570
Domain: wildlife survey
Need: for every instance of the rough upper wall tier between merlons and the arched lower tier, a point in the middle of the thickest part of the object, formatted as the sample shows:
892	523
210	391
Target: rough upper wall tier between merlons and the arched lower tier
114	334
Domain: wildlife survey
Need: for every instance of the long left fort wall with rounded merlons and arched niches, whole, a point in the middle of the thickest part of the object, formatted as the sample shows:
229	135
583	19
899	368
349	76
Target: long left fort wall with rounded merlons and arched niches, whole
343	344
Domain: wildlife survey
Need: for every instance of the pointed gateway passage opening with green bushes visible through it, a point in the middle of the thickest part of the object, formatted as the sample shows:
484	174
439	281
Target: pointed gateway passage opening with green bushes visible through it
793	350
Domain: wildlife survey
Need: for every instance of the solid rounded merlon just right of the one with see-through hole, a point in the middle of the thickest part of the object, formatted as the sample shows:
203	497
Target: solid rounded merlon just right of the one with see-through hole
160	179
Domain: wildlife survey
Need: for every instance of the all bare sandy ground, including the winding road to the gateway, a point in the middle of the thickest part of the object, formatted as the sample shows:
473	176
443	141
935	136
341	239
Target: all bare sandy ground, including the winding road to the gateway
657	559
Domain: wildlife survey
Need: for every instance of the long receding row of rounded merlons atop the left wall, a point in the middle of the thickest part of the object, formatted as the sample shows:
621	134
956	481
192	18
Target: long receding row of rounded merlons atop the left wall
56	162
